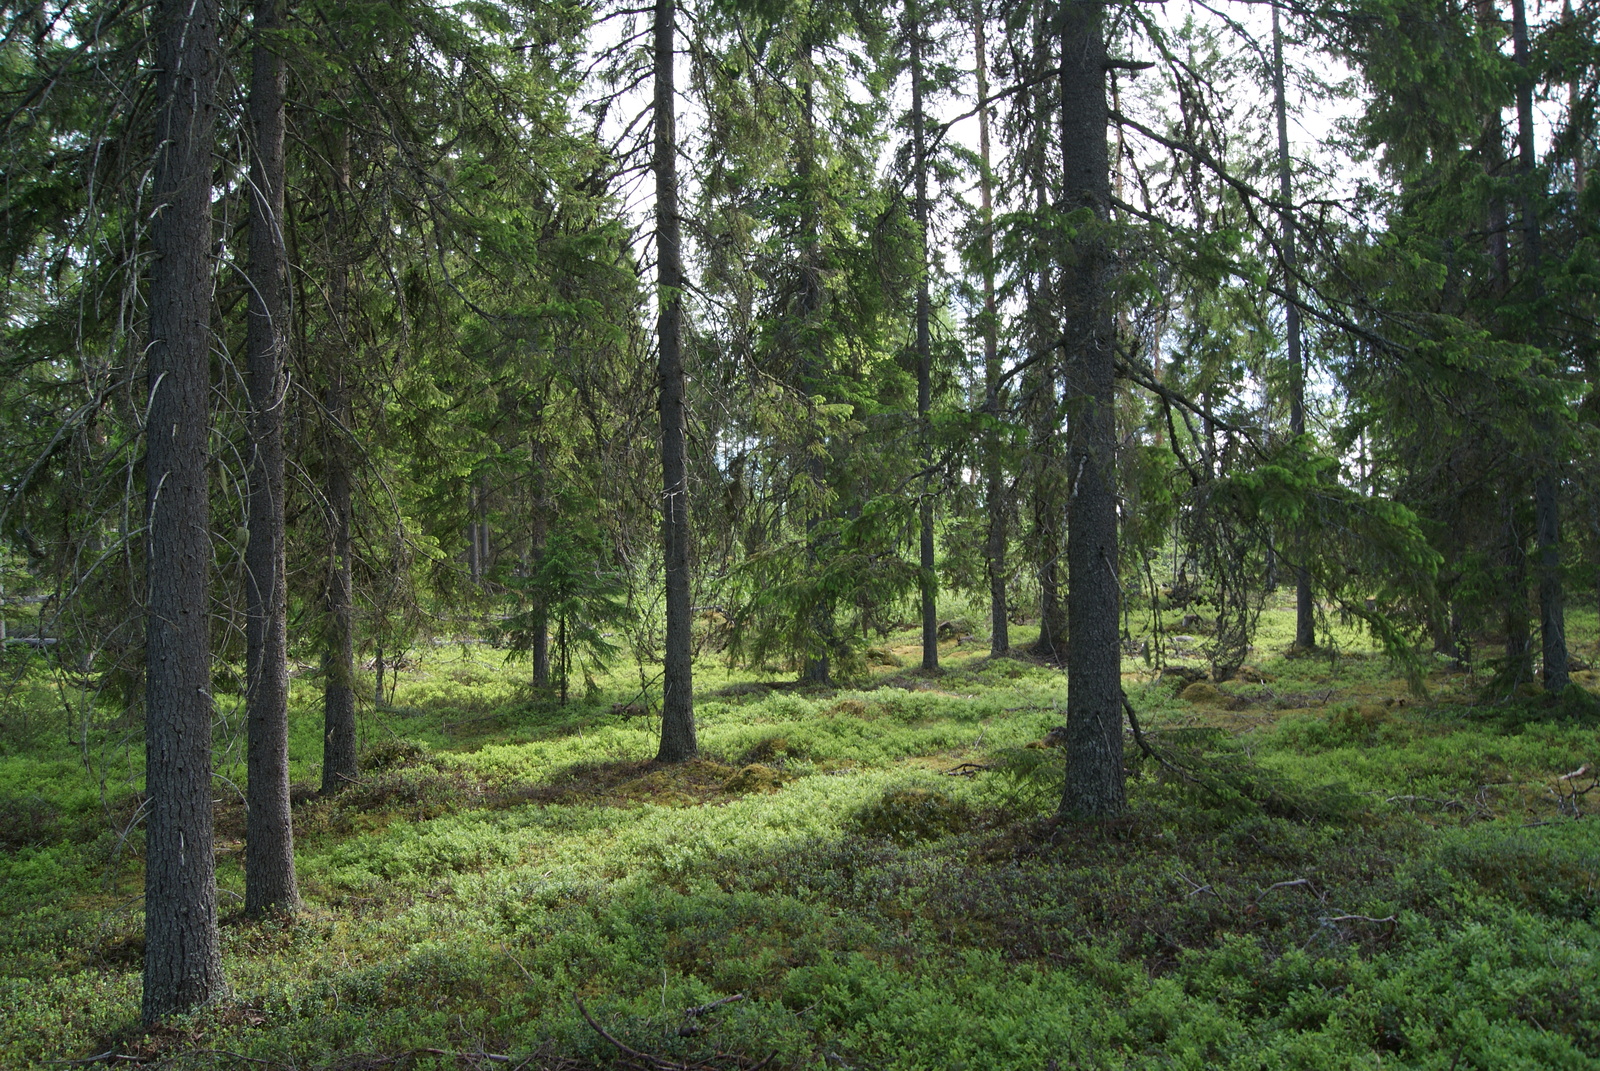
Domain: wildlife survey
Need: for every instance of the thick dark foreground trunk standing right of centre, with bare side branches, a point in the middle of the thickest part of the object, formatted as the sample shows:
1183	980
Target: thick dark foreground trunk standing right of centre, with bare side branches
1095	776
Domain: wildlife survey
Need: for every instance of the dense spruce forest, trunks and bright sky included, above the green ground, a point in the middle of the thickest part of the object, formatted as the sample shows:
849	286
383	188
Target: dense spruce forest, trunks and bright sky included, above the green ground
638	343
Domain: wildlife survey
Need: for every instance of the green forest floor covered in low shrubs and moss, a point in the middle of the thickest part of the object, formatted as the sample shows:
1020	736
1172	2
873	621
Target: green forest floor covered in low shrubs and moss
1330	873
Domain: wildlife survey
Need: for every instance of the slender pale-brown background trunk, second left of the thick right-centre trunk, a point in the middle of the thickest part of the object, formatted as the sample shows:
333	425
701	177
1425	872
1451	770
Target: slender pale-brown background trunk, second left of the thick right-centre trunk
994	473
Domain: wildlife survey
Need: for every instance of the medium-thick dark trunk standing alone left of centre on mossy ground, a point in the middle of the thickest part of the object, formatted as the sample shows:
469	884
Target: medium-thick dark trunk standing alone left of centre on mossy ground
678	700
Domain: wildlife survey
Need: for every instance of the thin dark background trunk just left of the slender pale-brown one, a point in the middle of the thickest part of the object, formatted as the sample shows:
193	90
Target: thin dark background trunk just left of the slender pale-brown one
927	577
